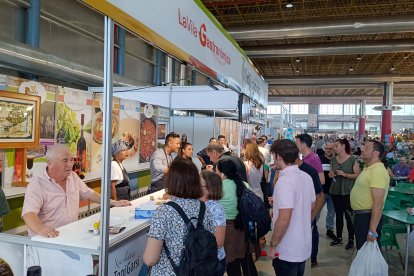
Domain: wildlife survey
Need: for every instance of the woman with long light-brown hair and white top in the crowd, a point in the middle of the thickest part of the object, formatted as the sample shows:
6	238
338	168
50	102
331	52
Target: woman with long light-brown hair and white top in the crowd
254	161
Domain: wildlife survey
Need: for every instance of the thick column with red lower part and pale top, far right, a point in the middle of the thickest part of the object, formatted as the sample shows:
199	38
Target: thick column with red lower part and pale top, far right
386	120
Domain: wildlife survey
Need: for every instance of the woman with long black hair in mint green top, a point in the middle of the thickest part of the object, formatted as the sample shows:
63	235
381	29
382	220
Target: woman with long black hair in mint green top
238	254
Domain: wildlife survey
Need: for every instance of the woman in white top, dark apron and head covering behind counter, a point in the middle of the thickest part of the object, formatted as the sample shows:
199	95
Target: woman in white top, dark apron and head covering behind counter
119	177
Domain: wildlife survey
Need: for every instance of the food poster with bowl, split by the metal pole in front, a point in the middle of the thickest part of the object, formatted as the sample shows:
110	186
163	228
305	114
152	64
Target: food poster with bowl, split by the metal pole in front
97	131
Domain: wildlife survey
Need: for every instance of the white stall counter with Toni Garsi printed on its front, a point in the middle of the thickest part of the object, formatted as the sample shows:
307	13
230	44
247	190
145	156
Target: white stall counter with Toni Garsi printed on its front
75	251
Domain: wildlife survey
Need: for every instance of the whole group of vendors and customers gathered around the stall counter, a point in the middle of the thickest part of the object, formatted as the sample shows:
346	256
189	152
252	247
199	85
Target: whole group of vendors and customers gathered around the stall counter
291	177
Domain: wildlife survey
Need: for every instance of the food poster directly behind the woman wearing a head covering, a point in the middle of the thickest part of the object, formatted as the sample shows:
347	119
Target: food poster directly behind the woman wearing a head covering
129	115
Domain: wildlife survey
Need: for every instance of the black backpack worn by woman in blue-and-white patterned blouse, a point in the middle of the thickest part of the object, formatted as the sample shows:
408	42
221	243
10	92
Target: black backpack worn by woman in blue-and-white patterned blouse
199	256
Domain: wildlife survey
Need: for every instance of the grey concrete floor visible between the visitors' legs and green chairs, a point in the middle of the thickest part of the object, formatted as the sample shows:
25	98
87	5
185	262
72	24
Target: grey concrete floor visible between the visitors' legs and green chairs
337	260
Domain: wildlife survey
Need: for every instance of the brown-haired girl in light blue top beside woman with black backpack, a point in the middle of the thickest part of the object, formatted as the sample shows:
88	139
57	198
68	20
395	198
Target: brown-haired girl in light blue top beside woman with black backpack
212	192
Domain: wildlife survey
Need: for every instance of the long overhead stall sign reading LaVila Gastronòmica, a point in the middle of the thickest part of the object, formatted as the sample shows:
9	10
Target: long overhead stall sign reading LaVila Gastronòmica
185	29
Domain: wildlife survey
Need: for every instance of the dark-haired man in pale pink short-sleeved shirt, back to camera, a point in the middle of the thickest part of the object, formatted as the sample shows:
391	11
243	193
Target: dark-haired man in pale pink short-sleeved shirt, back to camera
294	196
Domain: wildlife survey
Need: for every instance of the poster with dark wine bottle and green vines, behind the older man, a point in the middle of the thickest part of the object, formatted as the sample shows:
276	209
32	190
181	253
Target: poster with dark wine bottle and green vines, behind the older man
73	125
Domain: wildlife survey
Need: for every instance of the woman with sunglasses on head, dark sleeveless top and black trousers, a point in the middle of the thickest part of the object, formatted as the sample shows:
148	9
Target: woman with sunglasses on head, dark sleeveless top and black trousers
344	171
